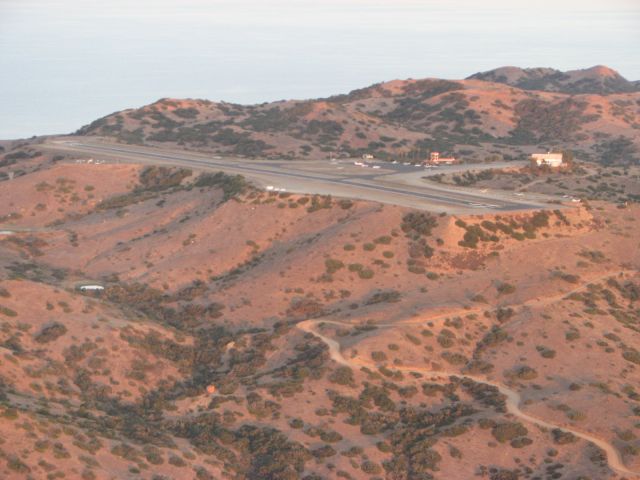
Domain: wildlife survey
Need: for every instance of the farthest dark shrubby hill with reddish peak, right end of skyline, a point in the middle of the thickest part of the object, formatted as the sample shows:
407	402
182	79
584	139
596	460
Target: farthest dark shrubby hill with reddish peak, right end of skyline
599	80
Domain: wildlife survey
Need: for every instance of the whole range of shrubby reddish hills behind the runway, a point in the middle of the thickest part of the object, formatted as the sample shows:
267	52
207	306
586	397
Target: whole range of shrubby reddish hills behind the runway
508	112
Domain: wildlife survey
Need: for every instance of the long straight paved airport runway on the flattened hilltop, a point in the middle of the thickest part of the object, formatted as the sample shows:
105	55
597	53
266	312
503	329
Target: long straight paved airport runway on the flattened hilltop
339	178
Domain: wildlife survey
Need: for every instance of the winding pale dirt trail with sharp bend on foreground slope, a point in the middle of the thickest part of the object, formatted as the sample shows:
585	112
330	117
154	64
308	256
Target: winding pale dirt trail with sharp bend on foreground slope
513	398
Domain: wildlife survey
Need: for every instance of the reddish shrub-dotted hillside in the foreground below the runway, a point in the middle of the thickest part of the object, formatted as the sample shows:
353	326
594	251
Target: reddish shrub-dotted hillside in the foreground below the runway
250	335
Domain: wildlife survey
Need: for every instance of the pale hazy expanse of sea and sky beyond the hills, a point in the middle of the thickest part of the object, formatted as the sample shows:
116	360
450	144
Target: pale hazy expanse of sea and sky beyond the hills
64	63
